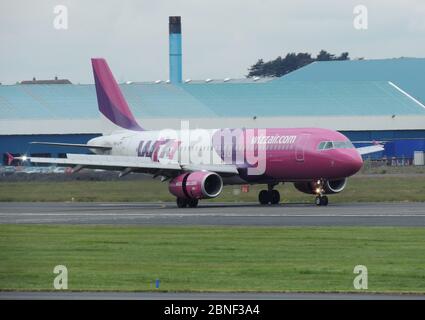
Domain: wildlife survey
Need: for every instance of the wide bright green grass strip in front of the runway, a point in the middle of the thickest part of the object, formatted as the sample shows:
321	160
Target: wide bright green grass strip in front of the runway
212	258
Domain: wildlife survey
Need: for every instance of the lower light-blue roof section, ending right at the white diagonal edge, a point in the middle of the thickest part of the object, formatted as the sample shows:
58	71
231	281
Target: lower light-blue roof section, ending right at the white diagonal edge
212	100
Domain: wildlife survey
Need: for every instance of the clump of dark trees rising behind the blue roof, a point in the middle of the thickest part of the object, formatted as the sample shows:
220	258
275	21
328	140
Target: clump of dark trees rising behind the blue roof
292	61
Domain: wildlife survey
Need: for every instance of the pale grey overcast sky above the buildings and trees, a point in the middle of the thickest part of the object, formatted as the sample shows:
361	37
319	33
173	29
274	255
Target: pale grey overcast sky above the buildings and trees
221	38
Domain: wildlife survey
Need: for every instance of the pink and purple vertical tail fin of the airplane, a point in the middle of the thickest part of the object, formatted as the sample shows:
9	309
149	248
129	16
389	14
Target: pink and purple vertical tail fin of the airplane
110	99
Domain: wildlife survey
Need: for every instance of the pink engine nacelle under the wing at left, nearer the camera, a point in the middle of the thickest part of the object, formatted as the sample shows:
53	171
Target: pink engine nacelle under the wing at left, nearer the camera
196	185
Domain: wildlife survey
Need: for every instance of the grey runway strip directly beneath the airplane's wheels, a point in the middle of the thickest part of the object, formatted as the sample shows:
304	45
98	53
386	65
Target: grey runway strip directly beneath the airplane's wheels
364	214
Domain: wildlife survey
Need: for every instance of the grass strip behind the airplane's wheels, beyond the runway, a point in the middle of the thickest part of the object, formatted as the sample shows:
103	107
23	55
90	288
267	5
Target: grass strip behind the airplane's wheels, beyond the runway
359	189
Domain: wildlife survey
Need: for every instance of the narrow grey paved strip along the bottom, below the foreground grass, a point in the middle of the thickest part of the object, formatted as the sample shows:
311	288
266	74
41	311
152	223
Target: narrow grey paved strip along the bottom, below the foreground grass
61	295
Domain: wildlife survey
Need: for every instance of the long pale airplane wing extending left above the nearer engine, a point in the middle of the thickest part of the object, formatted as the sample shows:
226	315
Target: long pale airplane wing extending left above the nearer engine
129	164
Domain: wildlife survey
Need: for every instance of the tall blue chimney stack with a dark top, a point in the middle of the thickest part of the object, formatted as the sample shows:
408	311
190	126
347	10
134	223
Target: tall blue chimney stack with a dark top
175	46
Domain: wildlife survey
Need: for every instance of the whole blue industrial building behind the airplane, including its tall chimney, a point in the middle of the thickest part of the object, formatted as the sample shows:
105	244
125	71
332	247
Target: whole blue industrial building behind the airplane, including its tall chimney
367	100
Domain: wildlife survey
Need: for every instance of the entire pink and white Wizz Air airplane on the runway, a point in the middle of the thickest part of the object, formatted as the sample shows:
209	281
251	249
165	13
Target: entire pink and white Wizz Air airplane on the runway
198	163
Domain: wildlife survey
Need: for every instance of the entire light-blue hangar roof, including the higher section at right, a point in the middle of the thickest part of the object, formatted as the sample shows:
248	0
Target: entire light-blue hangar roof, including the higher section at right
365	88
